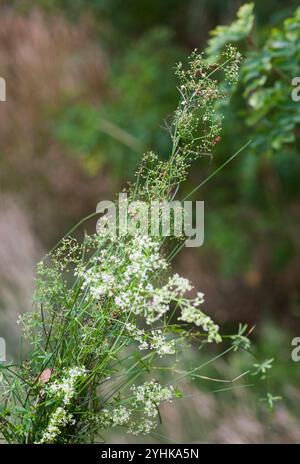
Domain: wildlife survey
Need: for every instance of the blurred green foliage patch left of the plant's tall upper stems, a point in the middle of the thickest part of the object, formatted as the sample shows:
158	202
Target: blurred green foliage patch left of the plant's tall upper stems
137	102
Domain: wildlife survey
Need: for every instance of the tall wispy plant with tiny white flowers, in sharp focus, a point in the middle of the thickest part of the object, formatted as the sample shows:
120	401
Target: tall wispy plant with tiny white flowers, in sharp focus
107	317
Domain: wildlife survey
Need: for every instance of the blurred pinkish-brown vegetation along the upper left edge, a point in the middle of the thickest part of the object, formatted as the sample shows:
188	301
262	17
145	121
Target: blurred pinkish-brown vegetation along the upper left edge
47	64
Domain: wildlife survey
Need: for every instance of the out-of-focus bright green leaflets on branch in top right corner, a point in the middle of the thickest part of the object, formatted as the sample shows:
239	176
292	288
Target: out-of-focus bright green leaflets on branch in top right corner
266	79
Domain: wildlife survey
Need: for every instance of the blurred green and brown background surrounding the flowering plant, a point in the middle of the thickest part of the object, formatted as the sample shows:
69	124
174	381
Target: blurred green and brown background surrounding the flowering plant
89	85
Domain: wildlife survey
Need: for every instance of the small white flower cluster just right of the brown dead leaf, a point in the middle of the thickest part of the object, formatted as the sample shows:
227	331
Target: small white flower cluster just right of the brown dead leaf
65	389
